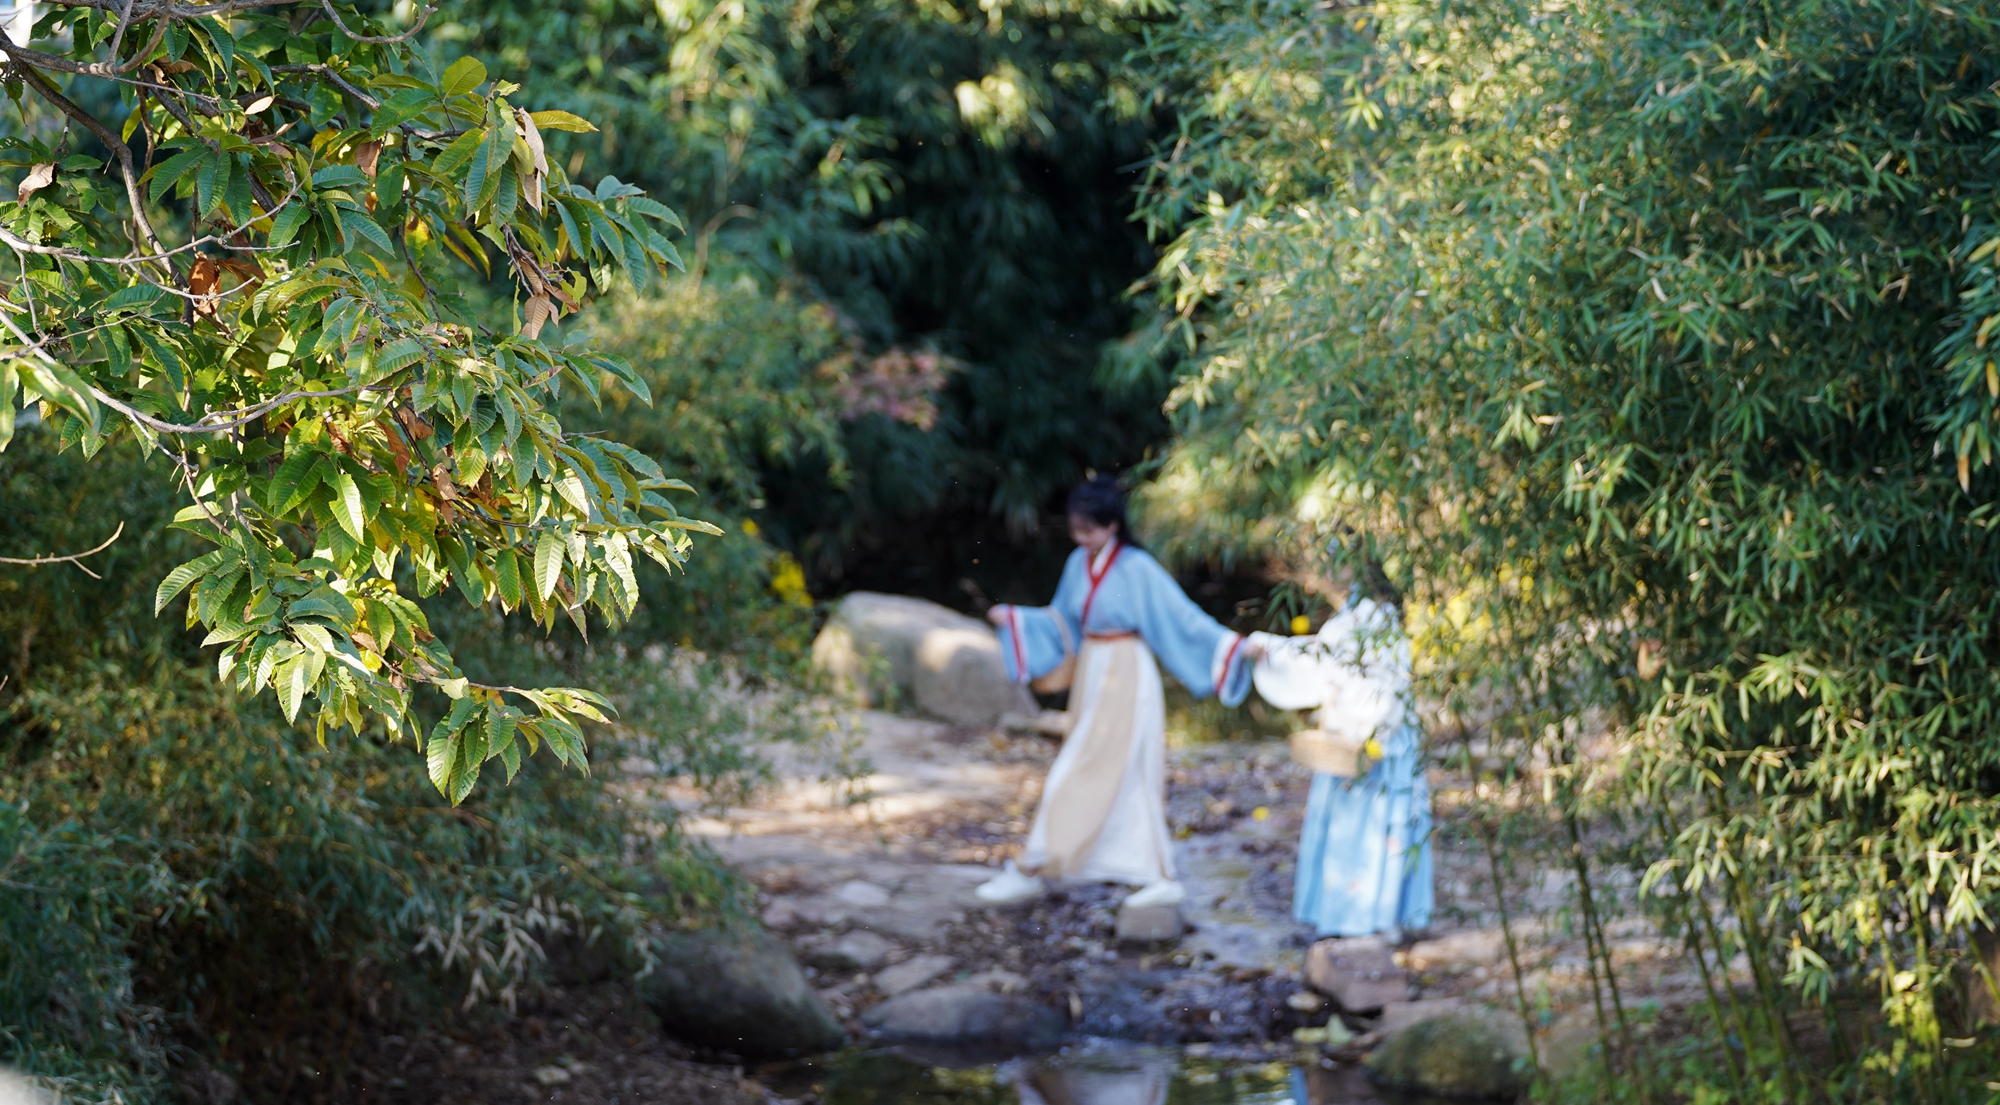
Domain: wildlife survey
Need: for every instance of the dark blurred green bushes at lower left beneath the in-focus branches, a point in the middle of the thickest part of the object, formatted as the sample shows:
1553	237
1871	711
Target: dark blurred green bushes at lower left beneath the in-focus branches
193	882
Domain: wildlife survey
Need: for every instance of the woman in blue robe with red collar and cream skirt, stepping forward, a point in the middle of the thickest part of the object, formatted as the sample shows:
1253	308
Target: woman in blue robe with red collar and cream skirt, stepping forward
1115	622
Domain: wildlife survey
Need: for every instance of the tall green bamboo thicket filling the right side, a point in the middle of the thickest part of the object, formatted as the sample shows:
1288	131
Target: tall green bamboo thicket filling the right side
1647	345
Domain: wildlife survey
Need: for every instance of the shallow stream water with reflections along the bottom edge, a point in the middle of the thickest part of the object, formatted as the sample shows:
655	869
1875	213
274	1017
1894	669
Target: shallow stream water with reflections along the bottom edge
1093	1074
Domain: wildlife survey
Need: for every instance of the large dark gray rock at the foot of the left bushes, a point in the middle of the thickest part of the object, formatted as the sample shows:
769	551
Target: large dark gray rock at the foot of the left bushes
739	990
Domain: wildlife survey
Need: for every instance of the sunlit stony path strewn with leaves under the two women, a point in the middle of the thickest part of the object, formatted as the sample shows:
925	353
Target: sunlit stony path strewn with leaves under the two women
873	886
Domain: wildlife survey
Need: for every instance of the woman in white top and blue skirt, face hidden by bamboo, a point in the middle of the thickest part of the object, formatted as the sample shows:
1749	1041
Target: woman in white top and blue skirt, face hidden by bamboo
1365	852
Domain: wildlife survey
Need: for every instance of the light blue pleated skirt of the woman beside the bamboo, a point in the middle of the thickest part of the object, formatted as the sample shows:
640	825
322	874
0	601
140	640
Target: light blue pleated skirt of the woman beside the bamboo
1365	852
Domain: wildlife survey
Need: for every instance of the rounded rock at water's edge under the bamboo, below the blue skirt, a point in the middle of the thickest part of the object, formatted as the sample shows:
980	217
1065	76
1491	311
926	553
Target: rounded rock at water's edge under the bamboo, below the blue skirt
1467	1054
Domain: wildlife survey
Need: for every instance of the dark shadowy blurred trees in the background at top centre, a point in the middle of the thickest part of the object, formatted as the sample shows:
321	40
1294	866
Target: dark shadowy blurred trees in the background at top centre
951	177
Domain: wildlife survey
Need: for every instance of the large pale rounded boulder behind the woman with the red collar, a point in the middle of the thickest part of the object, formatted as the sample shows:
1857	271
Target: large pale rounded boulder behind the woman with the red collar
945	664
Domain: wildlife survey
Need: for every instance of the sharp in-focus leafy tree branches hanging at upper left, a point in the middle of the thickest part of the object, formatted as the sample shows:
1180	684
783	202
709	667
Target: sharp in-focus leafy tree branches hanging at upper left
239	237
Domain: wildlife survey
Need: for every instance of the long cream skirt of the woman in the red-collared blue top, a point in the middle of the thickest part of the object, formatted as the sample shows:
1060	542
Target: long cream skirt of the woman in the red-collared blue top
1103	814
